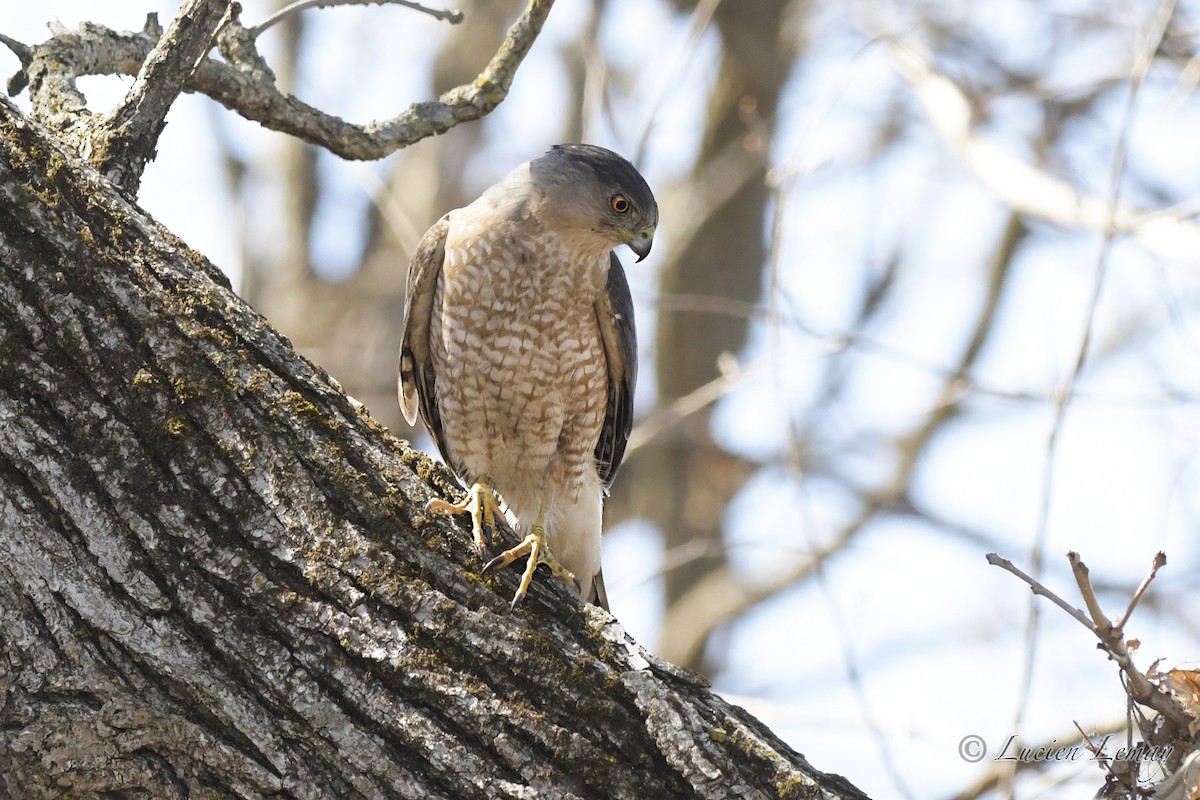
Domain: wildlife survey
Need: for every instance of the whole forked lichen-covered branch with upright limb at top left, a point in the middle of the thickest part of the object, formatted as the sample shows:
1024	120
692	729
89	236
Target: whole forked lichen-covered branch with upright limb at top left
241	81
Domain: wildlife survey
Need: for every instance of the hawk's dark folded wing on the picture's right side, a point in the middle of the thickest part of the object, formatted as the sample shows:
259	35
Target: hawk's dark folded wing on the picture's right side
615	314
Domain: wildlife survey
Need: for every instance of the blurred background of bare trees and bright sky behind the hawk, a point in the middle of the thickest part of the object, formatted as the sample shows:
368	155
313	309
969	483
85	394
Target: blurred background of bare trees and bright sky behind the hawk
926	287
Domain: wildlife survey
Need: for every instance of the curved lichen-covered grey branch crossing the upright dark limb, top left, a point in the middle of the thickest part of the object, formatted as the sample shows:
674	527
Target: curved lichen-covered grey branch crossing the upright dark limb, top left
245	85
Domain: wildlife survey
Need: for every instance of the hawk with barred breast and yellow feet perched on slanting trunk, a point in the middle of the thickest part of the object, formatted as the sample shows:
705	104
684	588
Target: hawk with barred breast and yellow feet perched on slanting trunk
520	354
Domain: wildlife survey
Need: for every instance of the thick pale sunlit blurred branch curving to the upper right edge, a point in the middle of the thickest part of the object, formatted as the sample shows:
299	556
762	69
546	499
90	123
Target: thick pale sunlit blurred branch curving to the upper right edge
1022	187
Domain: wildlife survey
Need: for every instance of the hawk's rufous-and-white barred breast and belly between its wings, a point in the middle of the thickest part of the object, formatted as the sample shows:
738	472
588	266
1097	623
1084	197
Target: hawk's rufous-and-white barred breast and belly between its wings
523	377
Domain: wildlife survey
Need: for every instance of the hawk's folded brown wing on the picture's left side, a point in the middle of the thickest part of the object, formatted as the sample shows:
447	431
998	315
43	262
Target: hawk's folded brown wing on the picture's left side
418	383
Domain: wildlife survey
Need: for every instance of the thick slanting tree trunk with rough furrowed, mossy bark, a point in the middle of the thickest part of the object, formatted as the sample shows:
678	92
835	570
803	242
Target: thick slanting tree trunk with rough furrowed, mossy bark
217	578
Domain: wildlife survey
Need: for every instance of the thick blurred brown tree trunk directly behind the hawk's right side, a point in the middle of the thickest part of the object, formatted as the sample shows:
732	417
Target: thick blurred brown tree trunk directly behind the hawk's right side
718	252
